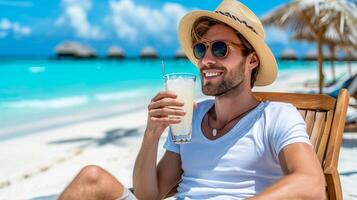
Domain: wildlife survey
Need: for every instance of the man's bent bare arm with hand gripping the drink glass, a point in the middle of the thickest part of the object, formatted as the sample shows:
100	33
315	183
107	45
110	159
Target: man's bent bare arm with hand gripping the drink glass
151	181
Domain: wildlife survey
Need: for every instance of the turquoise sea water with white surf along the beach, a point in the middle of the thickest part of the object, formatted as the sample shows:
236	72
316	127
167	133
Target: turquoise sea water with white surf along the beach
35	89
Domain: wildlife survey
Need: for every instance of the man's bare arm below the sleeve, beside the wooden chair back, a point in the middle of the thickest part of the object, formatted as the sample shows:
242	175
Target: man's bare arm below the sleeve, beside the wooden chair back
303	178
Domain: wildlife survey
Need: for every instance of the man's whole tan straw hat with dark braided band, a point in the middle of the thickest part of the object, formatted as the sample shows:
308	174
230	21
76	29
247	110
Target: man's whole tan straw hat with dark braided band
240	18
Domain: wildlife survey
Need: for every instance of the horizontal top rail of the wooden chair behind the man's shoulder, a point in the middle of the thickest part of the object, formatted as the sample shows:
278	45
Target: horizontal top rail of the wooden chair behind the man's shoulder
301	101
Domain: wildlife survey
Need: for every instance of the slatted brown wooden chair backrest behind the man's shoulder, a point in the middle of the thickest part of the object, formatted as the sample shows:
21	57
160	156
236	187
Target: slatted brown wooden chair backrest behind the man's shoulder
325	120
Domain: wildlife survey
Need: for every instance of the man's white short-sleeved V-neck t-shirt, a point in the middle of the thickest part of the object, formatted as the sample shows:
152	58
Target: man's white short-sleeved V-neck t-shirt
245	160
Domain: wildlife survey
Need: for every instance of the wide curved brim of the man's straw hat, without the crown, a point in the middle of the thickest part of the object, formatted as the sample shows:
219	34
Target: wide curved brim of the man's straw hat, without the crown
268	67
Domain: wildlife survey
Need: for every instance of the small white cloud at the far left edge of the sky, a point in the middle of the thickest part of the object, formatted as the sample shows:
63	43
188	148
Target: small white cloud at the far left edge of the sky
7	27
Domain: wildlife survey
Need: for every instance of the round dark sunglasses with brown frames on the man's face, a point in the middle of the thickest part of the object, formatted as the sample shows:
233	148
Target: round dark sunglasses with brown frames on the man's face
219	49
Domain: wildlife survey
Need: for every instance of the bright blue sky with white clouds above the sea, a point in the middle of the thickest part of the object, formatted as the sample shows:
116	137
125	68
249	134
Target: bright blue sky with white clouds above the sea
35	28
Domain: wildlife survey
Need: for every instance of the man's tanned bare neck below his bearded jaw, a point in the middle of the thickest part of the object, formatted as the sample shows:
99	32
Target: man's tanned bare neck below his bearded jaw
233	104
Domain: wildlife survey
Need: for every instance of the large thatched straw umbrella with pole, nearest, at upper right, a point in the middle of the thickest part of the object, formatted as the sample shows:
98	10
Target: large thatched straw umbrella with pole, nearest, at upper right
317	16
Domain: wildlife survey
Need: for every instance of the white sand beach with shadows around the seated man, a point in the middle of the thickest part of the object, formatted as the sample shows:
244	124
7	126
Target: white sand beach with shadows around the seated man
41	164
